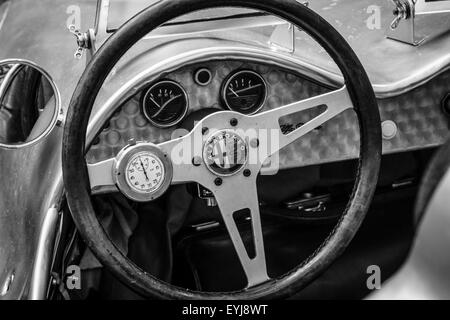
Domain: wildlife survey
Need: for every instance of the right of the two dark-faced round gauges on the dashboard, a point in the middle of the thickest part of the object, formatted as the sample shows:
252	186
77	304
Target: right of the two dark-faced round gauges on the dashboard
244	91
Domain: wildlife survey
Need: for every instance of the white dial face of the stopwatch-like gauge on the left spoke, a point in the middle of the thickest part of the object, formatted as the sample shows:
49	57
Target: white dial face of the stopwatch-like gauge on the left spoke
144	172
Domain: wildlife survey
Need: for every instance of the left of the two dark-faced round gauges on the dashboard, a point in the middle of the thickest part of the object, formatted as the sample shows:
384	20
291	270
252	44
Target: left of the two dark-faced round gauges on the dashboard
165	103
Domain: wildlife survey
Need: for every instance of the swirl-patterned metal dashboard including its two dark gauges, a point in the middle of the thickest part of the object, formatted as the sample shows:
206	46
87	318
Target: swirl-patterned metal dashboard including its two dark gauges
172	104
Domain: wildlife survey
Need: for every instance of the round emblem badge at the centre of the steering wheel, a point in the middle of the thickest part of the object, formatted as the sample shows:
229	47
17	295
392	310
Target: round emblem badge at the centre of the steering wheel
225	153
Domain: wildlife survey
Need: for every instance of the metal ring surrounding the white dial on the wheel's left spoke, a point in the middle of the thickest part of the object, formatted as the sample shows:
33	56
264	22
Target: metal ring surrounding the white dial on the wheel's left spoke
122	162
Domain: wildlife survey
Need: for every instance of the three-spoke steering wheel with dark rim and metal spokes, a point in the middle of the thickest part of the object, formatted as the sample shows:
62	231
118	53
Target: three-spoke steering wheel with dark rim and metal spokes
234	187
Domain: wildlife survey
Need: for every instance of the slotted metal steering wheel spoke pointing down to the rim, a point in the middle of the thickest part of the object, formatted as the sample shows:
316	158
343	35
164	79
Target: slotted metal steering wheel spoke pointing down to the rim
238	202
